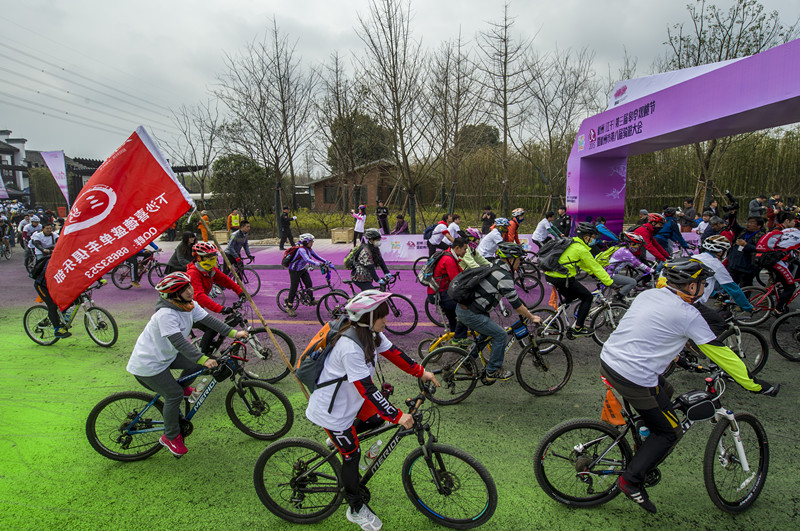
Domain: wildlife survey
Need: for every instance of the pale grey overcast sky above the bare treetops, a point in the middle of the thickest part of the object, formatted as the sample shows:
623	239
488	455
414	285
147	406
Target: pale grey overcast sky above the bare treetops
114	65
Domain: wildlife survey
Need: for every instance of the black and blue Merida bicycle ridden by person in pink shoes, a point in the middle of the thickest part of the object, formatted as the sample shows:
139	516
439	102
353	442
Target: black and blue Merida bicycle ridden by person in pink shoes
127	426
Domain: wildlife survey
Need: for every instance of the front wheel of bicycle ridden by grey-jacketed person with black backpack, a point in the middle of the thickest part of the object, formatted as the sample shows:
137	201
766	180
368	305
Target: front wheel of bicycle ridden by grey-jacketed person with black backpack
544	368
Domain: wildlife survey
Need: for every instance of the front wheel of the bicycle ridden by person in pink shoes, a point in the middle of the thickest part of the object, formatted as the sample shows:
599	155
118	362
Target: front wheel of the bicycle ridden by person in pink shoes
261	411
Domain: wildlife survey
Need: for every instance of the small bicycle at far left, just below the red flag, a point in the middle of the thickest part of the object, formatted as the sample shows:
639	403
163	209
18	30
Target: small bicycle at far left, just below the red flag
99	323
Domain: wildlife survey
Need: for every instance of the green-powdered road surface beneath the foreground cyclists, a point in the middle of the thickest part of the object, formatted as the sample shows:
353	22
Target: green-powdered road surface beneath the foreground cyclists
50	478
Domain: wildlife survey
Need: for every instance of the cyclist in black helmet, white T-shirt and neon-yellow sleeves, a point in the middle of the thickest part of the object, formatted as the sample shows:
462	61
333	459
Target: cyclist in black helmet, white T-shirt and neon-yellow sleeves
649	336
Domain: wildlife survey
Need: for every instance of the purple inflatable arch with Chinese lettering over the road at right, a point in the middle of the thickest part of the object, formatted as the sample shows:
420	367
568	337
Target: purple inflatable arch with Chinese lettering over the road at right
753	93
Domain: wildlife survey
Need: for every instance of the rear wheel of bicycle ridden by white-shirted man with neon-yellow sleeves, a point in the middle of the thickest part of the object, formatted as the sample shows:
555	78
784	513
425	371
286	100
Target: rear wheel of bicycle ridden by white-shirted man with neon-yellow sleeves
568	466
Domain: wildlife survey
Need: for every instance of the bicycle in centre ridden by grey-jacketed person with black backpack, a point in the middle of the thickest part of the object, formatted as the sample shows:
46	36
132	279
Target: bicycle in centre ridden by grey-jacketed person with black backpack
543	366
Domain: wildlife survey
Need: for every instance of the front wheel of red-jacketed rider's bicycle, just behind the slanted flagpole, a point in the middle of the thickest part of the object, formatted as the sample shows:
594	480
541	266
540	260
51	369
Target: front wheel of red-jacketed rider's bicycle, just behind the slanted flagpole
264	362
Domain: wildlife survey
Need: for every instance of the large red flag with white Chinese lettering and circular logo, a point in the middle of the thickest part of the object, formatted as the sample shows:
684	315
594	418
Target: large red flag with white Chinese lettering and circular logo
131	199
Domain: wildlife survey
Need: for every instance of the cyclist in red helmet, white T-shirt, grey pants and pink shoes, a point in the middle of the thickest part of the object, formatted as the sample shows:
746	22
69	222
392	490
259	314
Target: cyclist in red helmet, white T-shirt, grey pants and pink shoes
163	346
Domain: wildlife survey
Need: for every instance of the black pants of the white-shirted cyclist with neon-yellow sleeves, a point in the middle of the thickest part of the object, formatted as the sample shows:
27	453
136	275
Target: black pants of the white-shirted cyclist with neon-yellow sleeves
654	404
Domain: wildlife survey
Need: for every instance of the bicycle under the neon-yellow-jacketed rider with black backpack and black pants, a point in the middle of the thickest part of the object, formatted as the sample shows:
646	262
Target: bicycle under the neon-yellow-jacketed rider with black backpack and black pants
603	318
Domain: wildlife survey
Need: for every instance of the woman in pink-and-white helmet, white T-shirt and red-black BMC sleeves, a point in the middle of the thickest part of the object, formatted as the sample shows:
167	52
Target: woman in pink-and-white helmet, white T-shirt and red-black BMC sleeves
355	404
